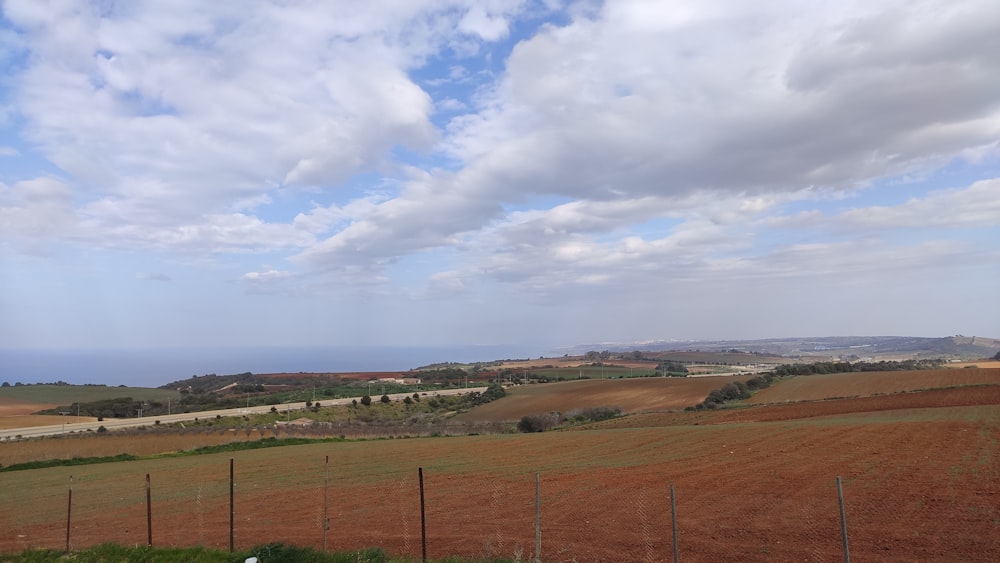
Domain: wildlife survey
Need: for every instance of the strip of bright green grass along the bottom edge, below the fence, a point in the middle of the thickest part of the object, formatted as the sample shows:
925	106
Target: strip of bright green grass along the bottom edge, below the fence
270	553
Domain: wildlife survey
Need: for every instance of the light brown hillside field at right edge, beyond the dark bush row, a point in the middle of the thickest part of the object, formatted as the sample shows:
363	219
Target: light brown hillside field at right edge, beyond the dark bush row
864	384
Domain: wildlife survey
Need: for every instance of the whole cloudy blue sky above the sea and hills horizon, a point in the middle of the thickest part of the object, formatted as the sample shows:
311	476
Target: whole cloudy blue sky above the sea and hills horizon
491	172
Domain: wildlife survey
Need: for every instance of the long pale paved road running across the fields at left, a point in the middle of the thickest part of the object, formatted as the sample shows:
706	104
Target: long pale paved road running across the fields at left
117	423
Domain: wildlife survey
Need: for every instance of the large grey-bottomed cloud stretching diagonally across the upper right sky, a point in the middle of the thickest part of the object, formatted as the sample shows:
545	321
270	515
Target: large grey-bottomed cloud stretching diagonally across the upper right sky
635	108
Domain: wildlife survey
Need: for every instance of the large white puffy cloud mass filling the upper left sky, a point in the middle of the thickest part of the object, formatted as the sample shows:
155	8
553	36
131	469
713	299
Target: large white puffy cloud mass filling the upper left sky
166	114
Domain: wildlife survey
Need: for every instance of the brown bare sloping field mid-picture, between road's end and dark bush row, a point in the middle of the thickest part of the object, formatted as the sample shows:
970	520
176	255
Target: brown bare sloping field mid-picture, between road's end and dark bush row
632	395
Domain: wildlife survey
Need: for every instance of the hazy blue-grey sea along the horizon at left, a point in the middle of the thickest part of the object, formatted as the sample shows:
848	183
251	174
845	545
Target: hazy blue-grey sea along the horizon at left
154	367
